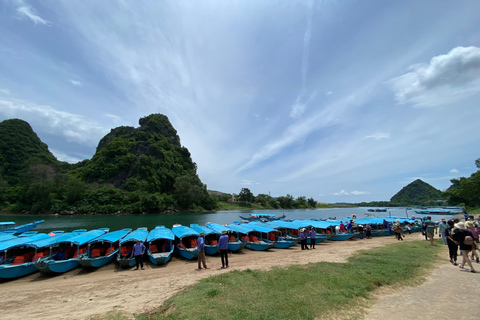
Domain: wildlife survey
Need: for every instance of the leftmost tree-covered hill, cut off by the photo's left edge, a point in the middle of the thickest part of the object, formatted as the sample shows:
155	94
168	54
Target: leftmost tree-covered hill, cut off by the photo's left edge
20	151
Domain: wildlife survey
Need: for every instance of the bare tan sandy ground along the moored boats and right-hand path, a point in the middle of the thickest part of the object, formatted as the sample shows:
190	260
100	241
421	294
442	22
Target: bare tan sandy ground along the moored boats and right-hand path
80	293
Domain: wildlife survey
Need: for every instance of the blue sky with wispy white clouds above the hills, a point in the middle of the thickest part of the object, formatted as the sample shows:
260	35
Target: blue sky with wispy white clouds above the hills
335	100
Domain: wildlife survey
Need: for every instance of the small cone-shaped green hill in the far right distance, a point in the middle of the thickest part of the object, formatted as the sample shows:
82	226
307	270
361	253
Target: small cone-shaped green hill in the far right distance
417	193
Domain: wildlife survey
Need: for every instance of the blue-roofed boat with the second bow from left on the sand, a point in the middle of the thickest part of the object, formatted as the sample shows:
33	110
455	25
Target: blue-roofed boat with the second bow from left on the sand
74	248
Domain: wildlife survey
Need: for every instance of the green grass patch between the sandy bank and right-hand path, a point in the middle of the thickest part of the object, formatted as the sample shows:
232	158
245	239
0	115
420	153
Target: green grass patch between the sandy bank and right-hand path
313	291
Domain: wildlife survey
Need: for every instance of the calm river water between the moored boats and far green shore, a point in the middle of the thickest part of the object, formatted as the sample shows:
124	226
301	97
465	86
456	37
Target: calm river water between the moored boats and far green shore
115	222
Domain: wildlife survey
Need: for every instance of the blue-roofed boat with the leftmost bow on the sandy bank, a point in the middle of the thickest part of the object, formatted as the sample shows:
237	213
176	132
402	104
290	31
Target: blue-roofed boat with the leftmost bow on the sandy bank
32	251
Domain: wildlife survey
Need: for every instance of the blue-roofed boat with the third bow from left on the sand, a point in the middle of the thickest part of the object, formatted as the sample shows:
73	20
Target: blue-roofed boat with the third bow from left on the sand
103	249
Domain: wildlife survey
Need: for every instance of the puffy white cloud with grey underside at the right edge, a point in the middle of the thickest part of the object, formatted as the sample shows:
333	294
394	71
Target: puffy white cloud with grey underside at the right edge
446	79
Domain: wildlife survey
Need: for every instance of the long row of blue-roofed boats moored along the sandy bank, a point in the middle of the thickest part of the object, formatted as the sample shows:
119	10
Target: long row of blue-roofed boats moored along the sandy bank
59	252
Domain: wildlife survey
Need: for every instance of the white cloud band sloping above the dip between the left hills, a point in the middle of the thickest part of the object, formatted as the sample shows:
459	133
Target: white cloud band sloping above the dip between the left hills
74	127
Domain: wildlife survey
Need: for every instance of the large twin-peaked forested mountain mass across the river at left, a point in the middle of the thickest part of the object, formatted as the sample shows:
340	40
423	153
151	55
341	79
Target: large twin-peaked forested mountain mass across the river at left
134	170
